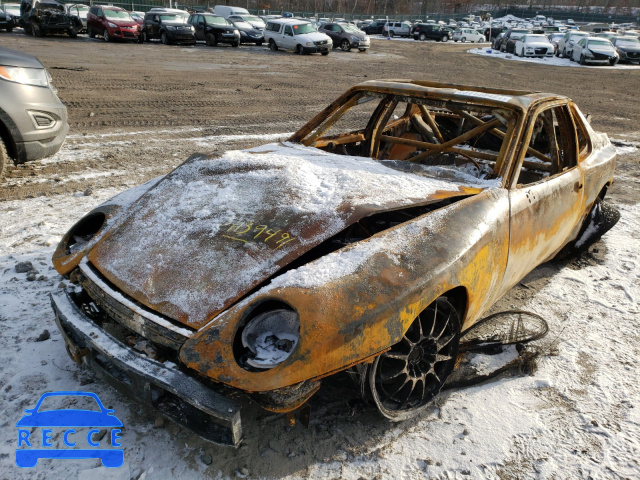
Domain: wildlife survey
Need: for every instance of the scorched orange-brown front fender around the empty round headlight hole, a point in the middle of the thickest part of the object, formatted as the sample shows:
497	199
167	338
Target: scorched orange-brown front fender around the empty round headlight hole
448	248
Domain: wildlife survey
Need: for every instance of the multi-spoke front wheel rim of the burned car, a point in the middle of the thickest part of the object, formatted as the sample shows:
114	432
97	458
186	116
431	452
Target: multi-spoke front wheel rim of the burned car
406	378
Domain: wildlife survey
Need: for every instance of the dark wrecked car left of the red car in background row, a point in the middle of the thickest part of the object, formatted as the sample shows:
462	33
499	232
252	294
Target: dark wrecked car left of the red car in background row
42	17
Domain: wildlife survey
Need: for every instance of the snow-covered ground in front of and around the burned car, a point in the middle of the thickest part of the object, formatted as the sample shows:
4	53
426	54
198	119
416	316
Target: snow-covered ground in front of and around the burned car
577	416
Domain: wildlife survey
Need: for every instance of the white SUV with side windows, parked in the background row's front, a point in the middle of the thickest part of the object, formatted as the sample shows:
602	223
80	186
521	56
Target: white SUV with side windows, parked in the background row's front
296	35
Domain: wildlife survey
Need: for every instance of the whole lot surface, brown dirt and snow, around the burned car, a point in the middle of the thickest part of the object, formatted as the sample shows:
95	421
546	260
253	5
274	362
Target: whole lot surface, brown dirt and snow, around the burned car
138	110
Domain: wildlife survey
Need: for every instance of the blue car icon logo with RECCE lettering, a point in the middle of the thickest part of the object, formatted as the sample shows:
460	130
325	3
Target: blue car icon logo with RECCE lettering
68	420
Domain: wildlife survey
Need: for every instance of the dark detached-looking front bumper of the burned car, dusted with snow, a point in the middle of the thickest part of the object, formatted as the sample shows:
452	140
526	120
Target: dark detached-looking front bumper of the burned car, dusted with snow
162	386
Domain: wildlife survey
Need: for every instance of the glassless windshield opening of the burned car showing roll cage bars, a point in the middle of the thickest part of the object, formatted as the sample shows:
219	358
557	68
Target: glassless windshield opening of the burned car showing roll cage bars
408	133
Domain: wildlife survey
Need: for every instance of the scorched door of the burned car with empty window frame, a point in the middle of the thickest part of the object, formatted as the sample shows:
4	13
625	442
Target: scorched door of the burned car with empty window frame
547	196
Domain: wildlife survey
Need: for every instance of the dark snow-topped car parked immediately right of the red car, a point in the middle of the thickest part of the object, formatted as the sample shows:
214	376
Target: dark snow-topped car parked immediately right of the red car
168	26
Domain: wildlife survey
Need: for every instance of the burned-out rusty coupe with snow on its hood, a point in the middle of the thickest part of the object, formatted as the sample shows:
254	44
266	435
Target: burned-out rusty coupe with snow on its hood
369	242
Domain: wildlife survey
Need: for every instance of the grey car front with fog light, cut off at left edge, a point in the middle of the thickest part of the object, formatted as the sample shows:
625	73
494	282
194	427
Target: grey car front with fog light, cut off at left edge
33	121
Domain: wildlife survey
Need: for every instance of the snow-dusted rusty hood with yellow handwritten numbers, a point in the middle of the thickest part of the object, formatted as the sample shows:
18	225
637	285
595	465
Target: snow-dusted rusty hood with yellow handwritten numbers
218	226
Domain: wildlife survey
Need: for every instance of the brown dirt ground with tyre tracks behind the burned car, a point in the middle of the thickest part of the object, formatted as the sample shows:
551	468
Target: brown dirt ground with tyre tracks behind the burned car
137	111
